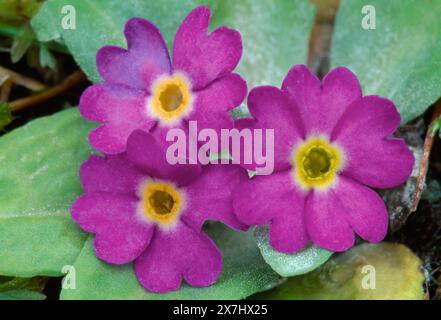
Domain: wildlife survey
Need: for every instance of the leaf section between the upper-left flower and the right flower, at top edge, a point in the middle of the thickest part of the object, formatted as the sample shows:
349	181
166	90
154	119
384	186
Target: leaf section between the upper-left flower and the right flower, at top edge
275	36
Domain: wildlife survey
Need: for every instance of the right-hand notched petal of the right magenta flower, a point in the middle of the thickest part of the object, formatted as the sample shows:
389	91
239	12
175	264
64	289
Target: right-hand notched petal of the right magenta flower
371	157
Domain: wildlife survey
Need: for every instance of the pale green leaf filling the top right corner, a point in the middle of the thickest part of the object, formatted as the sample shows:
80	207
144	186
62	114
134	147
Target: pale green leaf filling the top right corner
400	59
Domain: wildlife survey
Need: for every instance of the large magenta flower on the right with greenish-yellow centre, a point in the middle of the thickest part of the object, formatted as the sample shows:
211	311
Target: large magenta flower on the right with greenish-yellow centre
331	146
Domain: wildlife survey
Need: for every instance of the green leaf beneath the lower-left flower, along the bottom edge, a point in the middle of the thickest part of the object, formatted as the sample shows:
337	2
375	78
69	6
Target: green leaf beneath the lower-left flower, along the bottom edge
244	273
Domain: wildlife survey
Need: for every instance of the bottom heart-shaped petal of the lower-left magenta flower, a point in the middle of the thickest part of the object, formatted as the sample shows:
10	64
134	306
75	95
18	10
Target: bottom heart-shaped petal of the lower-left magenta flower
172	255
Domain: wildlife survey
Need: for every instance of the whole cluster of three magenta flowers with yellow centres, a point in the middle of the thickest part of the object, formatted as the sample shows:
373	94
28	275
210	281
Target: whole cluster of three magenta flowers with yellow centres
331	145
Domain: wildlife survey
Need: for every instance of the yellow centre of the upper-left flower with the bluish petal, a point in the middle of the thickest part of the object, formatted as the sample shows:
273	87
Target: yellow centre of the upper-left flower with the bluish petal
171	98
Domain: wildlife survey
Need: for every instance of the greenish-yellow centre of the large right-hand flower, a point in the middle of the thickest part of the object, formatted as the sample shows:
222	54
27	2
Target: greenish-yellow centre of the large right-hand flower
316	163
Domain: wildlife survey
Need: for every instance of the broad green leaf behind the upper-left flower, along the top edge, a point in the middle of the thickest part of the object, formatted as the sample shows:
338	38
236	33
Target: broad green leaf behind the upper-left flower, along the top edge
275	34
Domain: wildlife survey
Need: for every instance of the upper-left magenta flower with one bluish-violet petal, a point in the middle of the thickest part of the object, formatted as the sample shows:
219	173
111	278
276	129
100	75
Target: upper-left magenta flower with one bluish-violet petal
143	89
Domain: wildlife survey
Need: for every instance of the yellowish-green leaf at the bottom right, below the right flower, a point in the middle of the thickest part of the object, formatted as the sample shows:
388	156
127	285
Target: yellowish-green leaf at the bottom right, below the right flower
385	271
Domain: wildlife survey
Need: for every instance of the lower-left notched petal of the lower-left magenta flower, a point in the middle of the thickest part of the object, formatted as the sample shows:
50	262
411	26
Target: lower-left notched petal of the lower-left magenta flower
121	237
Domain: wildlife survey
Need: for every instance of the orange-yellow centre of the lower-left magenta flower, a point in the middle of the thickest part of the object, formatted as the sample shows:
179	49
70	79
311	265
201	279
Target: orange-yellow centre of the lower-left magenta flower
161	202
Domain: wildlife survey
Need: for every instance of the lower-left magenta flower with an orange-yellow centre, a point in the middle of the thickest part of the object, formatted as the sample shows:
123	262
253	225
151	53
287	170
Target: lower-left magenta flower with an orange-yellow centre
145	210
